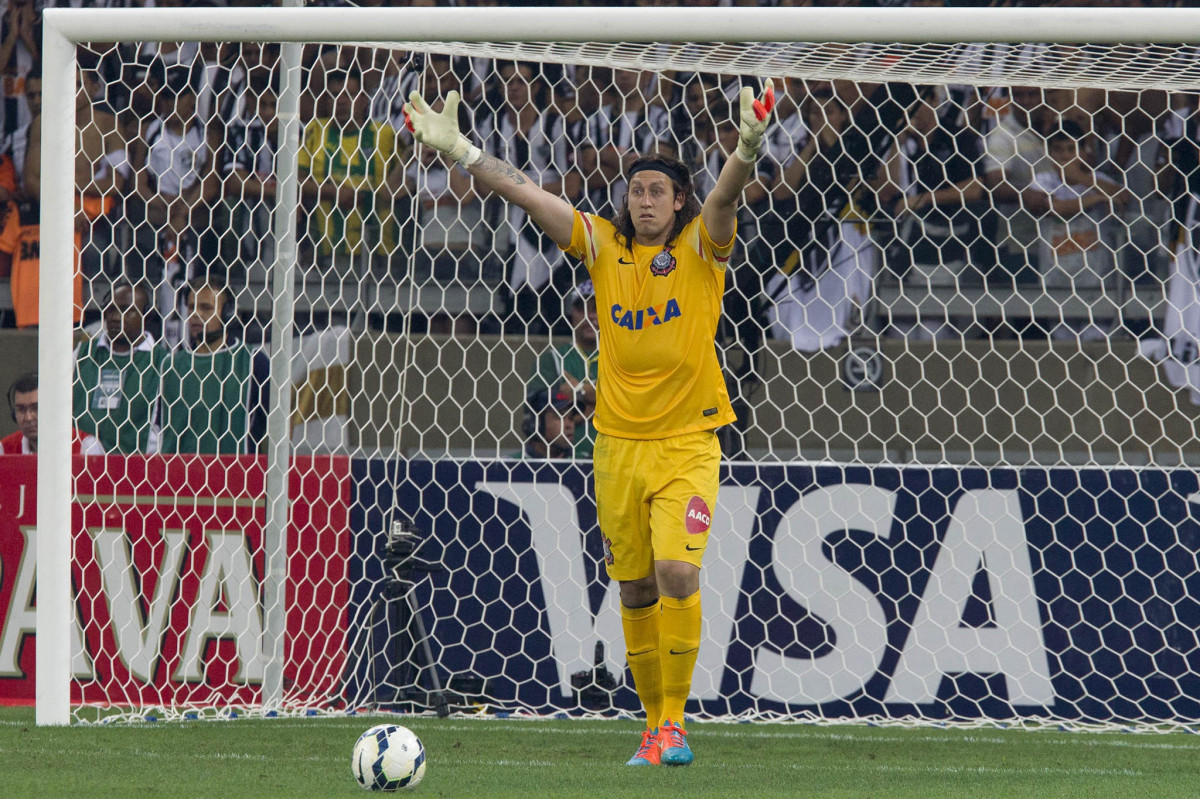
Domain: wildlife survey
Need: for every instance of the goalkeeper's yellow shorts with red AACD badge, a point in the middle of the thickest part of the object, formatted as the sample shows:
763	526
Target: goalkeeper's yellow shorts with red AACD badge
656	500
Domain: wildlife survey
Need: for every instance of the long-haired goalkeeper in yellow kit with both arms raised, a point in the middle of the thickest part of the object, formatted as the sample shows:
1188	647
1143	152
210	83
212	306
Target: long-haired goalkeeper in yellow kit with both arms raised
659	274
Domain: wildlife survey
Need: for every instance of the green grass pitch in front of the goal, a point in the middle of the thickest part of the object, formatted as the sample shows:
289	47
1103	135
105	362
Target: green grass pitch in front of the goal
487	759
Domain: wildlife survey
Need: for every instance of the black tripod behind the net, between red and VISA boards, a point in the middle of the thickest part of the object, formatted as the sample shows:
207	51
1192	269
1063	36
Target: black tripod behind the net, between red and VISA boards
405	626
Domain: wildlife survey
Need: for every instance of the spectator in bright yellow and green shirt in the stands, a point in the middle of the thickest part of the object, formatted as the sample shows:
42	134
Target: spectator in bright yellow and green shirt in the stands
351	172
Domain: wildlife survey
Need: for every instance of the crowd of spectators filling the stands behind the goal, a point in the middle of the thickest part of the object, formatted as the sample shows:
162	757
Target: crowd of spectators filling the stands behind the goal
1077	193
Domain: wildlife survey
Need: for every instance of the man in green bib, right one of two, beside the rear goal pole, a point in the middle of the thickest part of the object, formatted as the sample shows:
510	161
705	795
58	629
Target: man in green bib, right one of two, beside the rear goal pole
214	388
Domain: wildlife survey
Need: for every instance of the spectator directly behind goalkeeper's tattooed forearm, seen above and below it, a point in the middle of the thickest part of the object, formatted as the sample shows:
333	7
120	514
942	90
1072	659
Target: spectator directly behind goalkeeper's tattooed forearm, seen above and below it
527	133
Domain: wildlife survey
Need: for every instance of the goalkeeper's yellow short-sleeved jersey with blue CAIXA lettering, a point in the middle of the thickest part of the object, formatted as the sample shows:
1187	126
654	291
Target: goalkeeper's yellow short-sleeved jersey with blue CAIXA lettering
659	308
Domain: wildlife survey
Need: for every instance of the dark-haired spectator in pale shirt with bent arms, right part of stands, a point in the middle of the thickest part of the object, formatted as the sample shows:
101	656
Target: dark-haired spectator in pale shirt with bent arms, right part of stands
1077	238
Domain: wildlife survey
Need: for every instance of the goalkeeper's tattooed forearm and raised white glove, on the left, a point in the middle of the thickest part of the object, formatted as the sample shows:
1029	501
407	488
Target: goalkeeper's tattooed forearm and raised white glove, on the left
440	131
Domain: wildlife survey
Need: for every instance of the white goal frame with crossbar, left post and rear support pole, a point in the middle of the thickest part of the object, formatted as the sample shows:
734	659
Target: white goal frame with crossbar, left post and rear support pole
64	29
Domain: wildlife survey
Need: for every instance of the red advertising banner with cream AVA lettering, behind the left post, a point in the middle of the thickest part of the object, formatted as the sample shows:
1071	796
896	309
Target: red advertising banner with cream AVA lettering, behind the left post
167	573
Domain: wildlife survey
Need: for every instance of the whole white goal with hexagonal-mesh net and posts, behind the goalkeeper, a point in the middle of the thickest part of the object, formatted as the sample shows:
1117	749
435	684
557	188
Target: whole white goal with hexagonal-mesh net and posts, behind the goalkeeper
345	400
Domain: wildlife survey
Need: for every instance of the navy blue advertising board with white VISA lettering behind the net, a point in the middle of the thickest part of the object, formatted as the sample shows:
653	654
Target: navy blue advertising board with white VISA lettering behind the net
826	591
